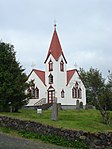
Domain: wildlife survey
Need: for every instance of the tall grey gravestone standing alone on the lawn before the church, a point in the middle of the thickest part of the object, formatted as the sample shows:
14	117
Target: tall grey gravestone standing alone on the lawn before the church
54	114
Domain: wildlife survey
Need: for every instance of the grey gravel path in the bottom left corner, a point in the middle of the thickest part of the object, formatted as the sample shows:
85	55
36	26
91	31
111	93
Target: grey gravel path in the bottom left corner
12	142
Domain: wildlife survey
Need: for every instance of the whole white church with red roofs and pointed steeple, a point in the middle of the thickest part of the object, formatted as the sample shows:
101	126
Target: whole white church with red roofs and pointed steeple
56	83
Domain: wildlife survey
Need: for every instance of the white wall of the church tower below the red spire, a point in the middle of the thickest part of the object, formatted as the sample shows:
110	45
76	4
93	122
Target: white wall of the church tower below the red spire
59	77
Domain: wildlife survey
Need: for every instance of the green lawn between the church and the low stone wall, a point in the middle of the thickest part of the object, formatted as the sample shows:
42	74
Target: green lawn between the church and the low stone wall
86	120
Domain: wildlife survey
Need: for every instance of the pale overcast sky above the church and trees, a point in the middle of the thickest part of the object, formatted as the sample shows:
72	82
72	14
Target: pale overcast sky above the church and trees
84	28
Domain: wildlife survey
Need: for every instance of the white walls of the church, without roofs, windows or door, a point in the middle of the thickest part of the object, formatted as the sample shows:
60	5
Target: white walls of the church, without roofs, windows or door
59	83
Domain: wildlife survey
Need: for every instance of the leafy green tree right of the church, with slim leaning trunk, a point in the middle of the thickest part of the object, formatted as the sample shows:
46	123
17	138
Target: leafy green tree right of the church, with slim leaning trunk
97	90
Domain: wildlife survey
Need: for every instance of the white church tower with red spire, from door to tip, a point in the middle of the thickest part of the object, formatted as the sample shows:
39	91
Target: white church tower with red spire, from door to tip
55	74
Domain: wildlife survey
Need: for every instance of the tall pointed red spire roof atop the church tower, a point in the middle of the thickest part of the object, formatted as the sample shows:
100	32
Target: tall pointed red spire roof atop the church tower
55	48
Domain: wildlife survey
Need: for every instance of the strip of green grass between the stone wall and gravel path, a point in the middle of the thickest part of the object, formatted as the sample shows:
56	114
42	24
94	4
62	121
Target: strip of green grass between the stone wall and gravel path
47	139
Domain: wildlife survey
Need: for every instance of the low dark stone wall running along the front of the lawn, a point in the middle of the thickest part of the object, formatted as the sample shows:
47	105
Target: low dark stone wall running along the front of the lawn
95	140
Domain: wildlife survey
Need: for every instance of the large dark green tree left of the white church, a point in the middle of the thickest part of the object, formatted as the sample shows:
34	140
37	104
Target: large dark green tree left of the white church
12	80
